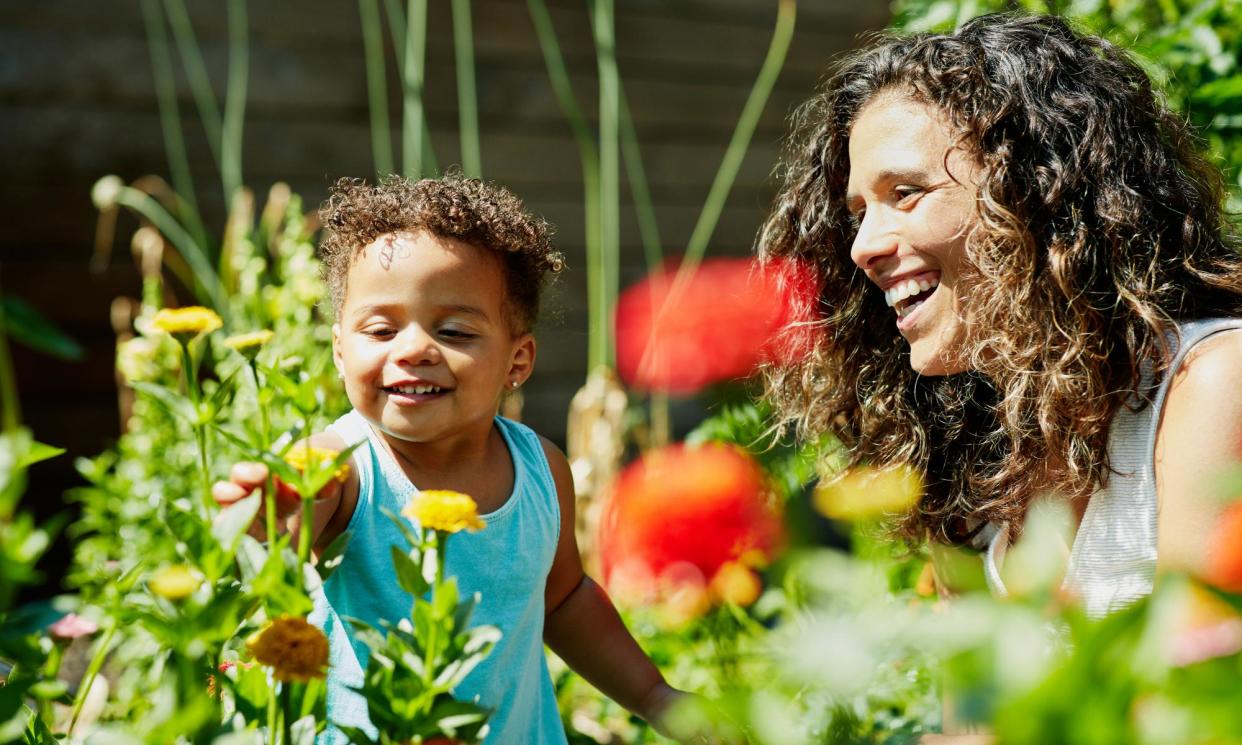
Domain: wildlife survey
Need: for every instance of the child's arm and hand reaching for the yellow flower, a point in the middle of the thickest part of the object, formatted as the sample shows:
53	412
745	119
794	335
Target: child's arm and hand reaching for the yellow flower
332	510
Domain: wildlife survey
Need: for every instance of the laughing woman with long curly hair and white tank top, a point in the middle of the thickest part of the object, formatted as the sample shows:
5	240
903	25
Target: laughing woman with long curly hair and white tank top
1028	287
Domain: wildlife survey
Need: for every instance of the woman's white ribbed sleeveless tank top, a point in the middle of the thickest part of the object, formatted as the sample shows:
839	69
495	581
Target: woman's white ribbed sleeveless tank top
1113	561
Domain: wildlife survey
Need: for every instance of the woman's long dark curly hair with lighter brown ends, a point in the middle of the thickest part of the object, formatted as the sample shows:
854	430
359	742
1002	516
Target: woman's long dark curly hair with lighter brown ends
1101	227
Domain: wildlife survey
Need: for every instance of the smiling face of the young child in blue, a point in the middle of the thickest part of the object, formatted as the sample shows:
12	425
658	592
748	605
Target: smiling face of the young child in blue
423	340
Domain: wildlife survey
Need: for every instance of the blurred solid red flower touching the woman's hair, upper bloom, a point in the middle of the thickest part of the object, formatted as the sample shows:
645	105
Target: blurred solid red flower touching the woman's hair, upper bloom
728	317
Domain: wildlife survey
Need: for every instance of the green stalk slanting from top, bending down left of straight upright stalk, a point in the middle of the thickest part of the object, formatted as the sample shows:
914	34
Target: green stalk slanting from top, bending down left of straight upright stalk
560	78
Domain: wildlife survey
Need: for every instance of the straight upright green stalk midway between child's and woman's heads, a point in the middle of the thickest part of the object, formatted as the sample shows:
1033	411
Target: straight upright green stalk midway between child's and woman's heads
610	183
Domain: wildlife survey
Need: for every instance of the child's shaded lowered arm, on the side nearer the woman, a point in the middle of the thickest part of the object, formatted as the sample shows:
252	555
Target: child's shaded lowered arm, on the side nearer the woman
584	629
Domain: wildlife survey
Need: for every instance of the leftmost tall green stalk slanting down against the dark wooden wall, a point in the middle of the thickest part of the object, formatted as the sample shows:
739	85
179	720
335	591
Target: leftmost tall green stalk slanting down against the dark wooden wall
171	121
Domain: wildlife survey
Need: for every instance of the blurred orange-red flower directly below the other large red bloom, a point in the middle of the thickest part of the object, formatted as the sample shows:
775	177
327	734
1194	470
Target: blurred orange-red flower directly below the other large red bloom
680	516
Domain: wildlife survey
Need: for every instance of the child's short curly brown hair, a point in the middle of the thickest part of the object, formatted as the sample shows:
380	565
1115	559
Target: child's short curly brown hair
453	207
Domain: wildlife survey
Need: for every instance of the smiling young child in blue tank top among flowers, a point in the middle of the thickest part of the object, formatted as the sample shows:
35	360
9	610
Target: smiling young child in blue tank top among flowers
435	286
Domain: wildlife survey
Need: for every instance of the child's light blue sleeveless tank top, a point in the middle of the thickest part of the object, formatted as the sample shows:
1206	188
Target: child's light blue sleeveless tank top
507	563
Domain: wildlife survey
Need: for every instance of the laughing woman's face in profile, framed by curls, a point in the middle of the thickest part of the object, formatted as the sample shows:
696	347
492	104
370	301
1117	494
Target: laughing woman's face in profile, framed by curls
913	198
